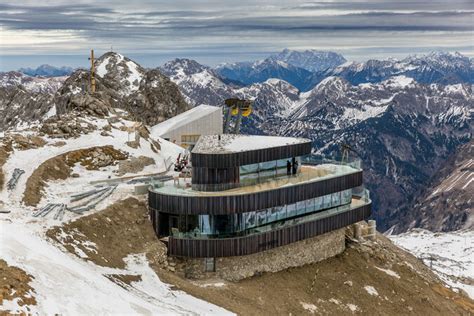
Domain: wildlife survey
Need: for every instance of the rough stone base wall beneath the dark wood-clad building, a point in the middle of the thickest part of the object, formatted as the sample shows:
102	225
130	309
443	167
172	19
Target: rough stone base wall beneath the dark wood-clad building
293	255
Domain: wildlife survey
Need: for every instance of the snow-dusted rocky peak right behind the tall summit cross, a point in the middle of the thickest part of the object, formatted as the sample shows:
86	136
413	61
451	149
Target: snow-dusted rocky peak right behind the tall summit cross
149	96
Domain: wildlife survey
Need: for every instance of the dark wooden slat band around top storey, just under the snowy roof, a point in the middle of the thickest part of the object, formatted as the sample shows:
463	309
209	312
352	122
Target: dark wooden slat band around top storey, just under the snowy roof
229	160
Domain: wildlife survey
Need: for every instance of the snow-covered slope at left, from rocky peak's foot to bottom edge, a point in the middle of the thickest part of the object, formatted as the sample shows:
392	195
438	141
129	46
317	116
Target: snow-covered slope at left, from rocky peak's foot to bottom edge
63	283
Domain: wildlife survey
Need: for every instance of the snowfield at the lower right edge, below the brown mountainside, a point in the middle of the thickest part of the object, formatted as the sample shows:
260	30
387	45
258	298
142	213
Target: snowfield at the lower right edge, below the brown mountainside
450	255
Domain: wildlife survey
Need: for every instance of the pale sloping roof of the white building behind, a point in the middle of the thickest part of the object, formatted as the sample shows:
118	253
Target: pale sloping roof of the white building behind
182	119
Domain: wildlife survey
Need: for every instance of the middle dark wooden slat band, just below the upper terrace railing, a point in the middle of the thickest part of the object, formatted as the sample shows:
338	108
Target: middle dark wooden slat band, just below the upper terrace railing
230	204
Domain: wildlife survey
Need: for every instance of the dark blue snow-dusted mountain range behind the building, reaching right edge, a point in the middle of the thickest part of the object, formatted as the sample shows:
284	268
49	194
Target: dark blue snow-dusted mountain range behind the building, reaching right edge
402	129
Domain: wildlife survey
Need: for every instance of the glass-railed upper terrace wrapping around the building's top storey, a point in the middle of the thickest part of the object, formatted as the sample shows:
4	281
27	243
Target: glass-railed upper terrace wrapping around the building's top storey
312	168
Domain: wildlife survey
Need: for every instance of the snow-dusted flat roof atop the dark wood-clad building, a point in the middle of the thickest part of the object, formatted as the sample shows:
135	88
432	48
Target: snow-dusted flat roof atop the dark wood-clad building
231	143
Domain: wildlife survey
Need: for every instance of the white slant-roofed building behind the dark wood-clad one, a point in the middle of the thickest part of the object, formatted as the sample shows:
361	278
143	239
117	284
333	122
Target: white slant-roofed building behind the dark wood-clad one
184	129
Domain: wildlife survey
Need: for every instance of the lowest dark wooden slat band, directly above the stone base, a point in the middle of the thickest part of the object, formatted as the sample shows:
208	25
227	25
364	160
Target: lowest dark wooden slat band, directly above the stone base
241	246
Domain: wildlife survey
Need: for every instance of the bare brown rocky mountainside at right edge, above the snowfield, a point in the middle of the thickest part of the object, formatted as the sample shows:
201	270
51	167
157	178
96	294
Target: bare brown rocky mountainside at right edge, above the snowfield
446	204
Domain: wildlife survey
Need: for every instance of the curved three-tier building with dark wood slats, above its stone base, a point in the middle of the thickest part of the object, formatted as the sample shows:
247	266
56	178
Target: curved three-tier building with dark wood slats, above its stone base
250	194
